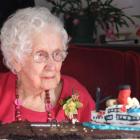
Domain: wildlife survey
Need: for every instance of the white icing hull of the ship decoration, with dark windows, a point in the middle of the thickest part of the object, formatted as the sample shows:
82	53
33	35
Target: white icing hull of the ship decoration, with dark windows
117	114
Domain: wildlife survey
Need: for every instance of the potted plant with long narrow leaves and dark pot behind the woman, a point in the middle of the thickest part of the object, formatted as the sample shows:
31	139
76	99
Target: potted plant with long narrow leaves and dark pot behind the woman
92	15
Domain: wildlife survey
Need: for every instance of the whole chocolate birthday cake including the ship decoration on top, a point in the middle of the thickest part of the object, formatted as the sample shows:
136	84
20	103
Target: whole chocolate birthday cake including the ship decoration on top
121	119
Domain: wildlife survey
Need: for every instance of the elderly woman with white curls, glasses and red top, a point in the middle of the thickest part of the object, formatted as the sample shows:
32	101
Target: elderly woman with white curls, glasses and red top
34	45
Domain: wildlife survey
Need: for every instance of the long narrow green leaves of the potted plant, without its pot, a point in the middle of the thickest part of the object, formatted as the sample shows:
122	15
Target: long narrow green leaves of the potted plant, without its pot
101	12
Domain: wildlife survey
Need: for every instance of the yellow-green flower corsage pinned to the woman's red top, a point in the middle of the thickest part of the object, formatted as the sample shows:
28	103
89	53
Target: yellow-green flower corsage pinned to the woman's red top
71	105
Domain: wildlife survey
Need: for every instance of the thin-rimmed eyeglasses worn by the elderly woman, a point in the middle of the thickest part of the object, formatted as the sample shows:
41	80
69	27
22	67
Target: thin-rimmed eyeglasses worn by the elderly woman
42	56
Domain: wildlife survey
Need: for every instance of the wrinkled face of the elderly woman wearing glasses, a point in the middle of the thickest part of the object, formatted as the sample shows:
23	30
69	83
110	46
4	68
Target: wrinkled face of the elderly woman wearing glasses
43	75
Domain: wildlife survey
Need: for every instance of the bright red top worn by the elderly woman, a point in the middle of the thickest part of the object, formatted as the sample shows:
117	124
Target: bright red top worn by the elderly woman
7	98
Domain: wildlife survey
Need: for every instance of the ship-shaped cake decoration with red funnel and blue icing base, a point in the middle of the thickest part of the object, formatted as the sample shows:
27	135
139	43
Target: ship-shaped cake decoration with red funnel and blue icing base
122	113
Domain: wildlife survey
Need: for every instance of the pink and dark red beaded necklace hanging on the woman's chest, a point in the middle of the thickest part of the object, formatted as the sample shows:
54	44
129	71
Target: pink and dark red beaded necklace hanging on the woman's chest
47	102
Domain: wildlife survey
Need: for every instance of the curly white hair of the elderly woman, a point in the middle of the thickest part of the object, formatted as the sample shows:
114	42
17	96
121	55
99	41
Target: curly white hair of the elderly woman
16	32
